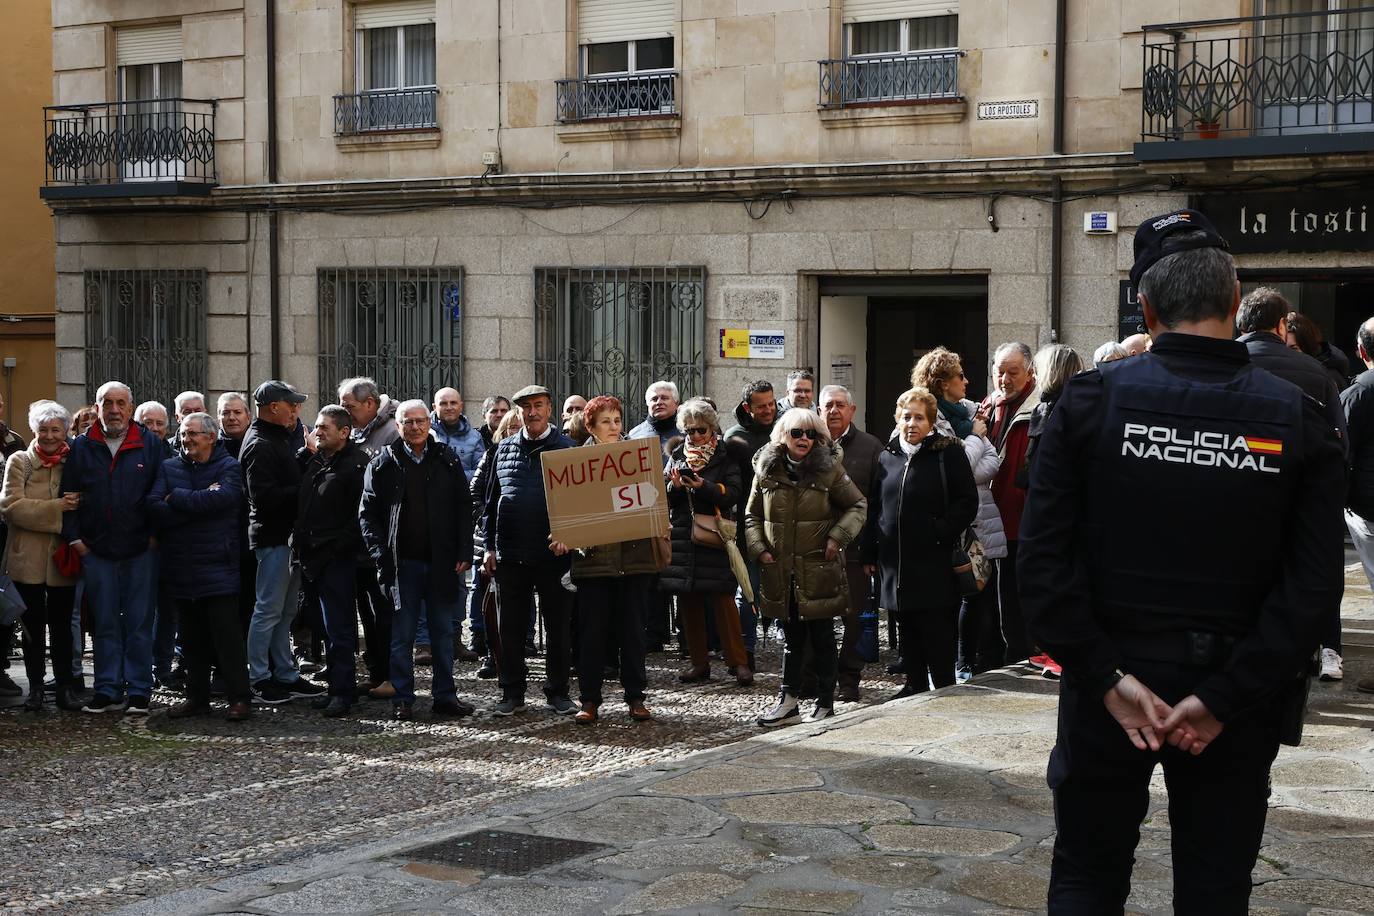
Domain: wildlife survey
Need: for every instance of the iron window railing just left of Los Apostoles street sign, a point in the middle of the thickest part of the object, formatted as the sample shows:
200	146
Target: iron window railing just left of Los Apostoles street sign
898	79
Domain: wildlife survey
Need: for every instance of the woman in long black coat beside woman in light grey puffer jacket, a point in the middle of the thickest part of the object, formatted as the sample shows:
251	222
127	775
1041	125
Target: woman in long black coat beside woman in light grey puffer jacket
924	499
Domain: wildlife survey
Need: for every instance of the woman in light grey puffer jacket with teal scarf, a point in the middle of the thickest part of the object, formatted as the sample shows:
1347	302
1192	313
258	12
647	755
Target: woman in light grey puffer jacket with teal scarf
942	373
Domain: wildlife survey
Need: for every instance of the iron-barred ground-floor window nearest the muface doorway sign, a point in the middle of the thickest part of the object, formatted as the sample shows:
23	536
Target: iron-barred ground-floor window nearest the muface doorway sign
616	330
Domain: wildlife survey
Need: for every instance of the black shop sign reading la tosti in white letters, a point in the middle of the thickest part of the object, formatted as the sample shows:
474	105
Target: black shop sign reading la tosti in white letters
1303	222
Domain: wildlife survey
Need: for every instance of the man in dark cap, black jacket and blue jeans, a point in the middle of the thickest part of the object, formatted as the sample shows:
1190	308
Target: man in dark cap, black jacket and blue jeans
273	477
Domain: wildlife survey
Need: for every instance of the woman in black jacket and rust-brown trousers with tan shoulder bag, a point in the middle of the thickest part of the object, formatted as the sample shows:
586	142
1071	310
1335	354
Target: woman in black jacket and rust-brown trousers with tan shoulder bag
703	484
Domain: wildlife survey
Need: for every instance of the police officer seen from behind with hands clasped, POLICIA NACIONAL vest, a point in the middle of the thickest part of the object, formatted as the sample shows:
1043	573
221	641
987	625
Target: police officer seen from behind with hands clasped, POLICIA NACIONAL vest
1181	631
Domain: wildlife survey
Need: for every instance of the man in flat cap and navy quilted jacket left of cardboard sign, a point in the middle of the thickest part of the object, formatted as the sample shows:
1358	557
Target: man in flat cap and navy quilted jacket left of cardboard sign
519	556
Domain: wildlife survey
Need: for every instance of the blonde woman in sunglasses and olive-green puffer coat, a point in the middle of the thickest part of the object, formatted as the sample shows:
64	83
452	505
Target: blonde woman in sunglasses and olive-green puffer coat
803	513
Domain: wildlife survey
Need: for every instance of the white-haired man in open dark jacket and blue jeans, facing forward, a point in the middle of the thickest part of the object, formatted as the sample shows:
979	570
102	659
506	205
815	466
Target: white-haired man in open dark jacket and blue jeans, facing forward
420	534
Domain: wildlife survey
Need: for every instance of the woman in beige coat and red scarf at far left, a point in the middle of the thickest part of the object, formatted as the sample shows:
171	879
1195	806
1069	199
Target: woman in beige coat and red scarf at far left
34	512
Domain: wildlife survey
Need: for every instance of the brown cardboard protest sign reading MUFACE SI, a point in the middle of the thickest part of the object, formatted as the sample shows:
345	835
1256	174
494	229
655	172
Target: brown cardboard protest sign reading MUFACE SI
607	494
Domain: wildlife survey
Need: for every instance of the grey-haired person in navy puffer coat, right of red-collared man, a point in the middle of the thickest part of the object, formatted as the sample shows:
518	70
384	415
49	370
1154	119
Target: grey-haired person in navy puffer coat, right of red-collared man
194	506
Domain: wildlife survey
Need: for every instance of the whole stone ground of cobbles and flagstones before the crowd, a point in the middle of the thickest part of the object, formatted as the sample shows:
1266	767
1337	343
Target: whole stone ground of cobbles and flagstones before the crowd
935	804
